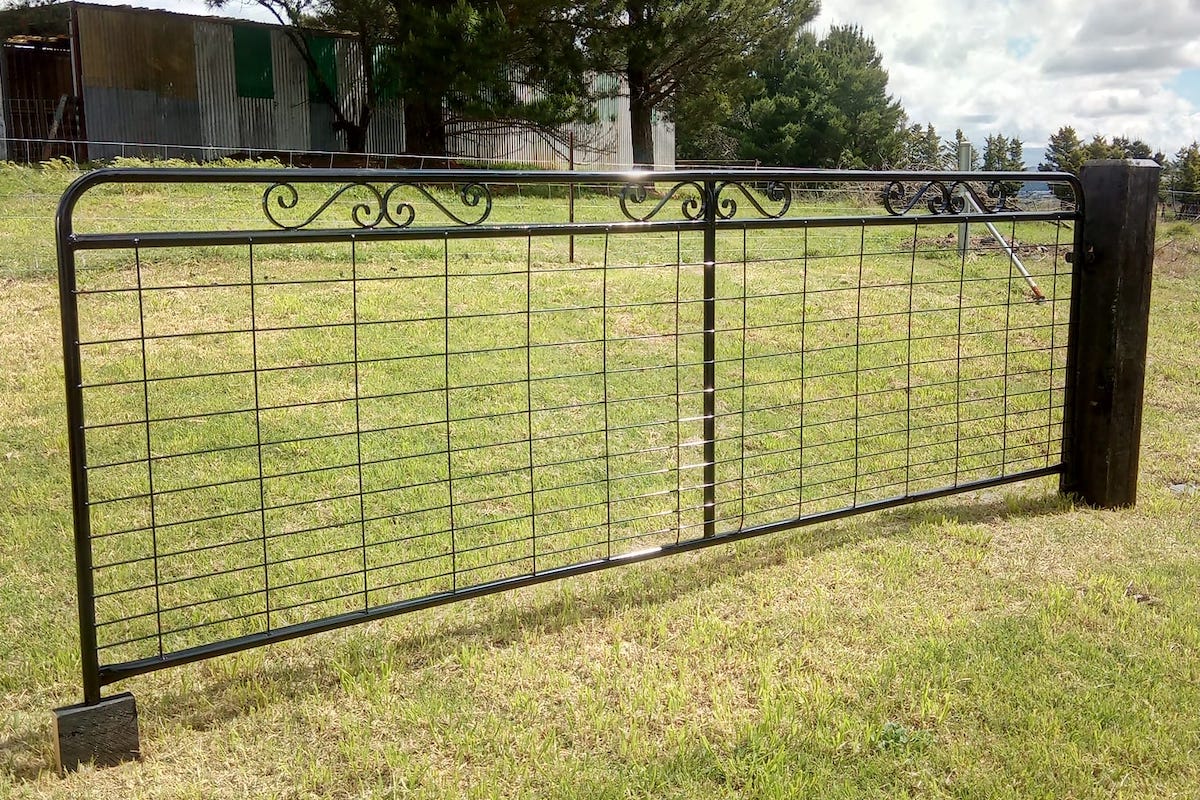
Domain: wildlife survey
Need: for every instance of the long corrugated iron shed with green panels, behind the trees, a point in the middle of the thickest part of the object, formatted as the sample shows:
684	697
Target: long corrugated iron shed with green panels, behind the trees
165	85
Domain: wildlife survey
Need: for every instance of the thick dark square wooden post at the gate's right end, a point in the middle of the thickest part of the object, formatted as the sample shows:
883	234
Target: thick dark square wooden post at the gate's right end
1111	317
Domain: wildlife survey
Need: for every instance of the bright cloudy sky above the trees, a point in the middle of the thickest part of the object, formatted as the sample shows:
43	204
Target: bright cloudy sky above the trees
1018	68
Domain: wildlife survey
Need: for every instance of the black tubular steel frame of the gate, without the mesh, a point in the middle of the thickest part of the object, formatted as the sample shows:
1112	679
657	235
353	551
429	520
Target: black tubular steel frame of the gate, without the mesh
95	676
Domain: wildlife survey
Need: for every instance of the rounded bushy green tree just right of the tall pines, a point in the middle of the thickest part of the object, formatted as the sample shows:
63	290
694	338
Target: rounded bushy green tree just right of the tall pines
824	104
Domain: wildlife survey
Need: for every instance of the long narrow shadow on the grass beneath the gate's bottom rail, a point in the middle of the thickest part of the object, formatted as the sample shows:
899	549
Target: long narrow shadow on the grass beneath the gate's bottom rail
237	691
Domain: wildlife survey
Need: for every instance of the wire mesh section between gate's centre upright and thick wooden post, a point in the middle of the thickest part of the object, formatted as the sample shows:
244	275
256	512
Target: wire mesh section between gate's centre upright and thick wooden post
860	365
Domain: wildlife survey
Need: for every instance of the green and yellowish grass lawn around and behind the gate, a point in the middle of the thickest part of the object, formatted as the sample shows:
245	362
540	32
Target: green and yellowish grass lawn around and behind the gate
999	645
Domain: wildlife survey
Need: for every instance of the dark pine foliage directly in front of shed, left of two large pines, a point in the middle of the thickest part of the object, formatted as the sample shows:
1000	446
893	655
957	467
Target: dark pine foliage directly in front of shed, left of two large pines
454	62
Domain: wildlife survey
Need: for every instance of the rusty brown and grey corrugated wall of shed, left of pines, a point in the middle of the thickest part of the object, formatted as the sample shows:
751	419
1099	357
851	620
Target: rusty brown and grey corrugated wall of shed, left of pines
167	80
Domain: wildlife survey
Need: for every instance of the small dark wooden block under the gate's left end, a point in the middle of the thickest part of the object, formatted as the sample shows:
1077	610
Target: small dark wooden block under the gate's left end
104	733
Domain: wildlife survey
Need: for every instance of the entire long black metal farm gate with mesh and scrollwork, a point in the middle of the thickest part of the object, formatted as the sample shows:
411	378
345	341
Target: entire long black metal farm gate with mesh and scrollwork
304	399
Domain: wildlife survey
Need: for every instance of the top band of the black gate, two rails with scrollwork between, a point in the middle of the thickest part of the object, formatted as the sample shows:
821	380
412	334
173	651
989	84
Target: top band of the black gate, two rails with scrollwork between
383	203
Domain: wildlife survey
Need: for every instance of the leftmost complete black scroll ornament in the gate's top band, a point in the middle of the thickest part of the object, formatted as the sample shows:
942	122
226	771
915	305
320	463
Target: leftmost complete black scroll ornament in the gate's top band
380	208
